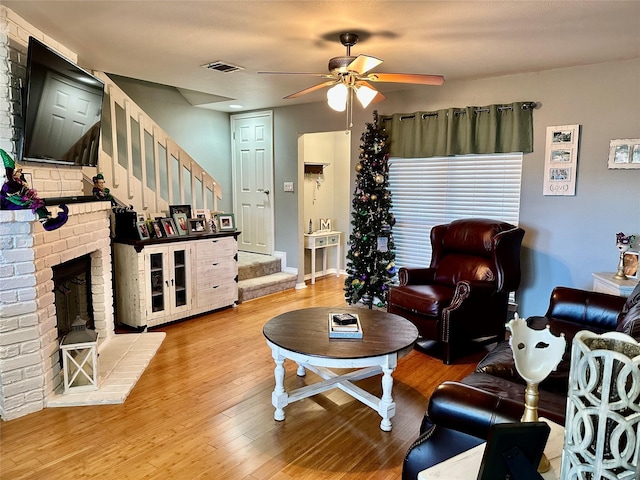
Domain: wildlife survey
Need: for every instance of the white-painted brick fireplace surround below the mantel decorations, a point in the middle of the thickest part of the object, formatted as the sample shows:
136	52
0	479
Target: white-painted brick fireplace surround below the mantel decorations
29	358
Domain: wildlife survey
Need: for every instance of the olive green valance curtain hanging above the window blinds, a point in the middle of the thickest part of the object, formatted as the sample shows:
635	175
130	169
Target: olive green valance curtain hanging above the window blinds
461	131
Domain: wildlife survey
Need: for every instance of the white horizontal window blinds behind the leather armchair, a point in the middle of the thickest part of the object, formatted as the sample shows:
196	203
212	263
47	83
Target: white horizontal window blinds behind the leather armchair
436	190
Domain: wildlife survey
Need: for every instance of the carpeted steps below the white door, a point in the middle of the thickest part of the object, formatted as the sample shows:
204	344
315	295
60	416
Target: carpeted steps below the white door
260	275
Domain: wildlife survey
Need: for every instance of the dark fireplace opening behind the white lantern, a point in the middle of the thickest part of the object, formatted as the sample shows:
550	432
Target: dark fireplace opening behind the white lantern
72	288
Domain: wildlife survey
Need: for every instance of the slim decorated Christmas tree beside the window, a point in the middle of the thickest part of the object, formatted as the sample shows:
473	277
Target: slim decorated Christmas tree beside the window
370	257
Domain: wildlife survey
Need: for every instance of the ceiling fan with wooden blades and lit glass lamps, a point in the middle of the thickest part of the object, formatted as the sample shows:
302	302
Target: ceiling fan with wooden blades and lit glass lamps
349	74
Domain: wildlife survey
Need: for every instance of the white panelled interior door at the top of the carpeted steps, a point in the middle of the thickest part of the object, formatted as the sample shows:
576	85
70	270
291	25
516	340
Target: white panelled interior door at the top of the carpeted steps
252	138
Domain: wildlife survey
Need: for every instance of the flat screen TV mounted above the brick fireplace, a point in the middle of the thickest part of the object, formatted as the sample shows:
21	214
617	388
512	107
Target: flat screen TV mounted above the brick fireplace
62	109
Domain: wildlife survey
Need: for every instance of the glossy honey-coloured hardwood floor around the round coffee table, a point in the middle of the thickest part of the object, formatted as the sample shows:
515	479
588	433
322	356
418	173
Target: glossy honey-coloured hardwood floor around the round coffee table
202	410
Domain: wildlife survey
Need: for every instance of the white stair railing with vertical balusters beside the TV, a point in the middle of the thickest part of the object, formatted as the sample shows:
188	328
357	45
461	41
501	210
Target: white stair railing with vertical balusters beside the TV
142	165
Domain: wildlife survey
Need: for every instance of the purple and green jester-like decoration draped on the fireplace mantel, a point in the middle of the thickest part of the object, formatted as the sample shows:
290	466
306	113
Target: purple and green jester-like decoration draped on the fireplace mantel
16	195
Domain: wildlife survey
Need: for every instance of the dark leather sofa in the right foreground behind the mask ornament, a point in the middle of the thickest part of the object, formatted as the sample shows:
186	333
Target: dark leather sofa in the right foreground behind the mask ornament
460	414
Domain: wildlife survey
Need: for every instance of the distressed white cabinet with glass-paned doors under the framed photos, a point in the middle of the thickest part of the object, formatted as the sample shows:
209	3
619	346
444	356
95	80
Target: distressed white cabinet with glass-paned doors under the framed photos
160	282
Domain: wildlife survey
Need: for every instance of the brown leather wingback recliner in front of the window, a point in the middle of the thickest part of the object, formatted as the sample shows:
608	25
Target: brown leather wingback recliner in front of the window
464	294
